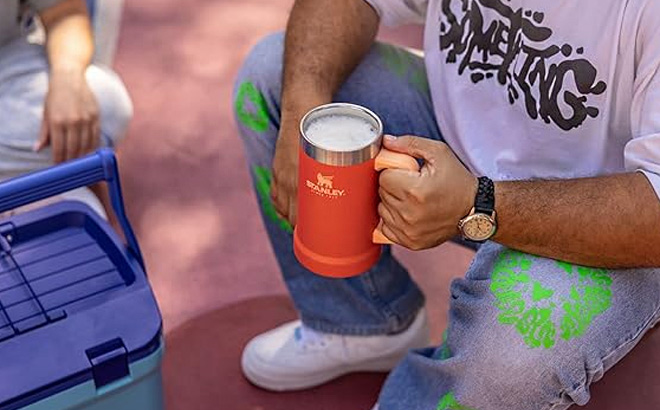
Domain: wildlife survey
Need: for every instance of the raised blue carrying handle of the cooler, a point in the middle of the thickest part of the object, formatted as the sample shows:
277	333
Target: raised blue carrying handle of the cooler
96	167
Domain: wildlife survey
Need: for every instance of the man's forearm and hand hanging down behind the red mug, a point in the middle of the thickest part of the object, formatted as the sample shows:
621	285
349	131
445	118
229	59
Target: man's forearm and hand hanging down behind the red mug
325	40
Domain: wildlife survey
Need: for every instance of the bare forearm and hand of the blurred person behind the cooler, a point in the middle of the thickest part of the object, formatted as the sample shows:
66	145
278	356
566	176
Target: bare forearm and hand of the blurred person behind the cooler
71	113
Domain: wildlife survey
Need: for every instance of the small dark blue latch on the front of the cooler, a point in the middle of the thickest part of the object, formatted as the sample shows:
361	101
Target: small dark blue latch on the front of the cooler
109	362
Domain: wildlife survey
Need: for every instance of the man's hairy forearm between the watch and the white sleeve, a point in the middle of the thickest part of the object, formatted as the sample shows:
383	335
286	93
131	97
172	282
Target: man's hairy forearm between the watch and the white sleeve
609	222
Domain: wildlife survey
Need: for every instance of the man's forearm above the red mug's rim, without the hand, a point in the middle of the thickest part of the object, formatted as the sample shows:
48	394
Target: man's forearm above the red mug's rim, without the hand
325	41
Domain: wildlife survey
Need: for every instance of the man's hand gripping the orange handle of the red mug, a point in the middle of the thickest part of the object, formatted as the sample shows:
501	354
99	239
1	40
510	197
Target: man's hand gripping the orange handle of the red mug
421	210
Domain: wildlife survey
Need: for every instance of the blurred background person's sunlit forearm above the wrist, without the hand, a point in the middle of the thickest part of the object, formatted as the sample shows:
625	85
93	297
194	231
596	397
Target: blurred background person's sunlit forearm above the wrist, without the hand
69	38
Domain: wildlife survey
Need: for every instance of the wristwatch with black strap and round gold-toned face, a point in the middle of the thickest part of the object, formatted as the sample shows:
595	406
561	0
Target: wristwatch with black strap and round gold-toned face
480	224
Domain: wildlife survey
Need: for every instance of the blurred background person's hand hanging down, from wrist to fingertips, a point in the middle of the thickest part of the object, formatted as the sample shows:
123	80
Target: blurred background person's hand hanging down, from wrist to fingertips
71	117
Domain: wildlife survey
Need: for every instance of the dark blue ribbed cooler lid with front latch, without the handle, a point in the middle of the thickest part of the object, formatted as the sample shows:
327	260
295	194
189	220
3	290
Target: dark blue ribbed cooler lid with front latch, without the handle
74	304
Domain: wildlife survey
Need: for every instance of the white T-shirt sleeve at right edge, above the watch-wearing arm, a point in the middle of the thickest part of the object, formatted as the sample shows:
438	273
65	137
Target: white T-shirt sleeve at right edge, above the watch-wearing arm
642	153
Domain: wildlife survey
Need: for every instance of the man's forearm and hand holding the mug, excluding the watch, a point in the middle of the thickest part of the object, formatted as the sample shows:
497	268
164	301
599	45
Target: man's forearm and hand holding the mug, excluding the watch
608	222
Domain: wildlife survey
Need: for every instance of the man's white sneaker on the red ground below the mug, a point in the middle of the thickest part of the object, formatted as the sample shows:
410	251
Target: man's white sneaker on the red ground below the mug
294	357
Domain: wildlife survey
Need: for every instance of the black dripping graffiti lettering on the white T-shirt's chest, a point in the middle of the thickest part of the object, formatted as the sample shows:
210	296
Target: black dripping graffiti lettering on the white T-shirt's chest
516	50
